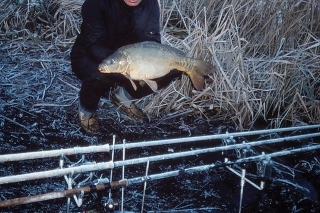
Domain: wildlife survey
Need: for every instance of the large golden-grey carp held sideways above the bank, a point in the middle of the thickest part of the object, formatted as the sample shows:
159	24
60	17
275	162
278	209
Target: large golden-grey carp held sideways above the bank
150	60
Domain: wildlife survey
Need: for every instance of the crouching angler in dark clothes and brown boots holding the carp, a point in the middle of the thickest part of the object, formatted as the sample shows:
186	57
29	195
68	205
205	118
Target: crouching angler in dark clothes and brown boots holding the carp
107	25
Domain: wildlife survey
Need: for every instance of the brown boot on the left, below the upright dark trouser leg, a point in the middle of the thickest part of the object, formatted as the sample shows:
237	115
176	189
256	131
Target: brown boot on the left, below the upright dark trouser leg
88	122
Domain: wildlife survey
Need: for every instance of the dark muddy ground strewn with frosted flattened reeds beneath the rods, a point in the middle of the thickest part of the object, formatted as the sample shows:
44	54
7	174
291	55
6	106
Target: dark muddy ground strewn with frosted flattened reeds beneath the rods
38	111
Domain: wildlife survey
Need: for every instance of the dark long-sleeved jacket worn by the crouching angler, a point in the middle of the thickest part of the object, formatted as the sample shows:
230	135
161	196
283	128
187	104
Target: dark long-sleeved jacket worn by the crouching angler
110	24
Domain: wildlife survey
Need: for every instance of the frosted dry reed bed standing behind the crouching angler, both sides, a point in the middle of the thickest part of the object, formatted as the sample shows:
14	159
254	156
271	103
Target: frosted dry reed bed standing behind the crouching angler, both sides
266	55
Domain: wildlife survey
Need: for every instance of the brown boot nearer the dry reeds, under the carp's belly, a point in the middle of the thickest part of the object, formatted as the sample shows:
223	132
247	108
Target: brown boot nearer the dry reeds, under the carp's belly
123	100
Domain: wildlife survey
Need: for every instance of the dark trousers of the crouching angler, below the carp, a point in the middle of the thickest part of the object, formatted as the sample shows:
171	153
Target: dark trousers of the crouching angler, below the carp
95	84
